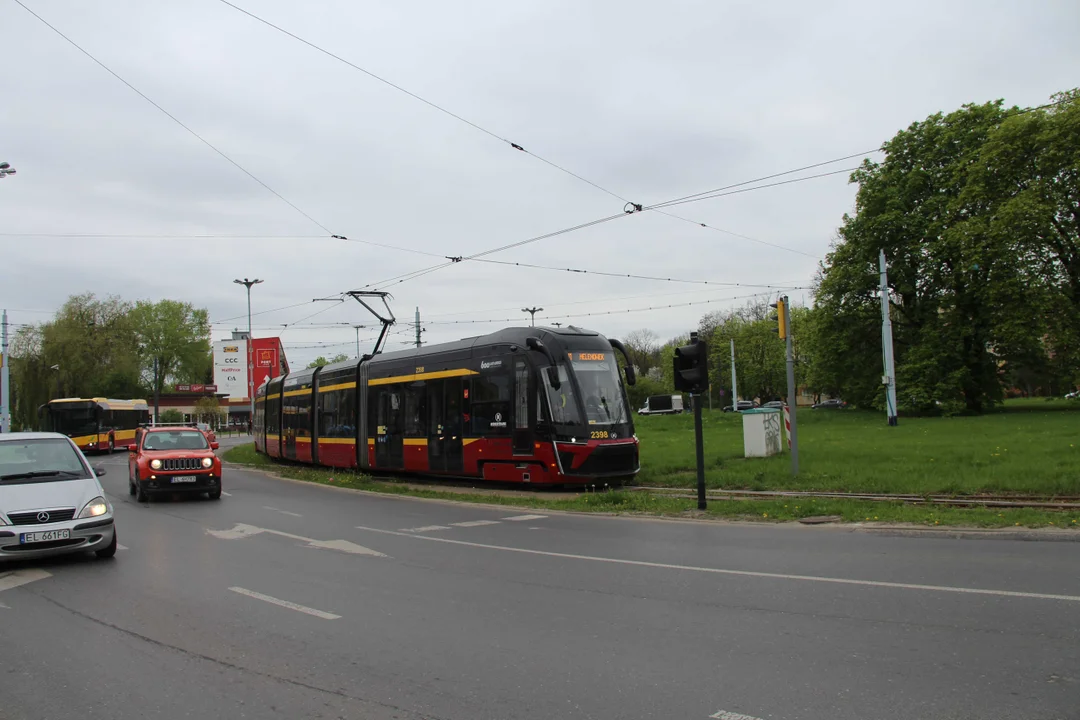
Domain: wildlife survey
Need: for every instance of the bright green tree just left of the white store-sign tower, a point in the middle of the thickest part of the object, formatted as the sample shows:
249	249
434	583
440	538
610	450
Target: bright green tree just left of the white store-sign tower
173	339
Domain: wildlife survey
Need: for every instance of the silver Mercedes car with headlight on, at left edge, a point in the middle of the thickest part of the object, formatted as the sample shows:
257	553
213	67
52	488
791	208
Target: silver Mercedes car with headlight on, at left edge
51	501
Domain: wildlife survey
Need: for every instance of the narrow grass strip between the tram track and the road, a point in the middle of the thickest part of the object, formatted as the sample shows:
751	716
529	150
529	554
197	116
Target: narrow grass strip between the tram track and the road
646	504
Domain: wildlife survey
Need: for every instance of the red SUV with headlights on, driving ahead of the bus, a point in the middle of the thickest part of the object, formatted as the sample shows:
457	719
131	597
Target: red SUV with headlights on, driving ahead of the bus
173	459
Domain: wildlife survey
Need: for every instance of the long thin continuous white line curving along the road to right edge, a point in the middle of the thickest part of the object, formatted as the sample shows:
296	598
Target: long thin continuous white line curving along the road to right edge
745	574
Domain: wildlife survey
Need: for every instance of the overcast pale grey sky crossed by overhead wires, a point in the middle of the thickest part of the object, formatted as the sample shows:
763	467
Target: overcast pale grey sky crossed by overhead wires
651	102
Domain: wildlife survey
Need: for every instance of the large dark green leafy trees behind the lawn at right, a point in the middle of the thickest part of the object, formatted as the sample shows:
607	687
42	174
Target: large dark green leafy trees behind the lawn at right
977	212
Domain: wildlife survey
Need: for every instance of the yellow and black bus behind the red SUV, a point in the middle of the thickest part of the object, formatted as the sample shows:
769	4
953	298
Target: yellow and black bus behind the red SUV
98	424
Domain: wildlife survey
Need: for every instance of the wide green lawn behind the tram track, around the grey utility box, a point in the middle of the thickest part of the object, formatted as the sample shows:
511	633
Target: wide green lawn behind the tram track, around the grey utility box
1033	447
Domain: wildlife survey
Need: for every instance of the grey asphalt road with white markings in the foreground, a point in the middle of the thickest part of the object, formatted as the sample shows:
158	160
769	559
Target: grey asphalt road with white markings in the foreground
291	601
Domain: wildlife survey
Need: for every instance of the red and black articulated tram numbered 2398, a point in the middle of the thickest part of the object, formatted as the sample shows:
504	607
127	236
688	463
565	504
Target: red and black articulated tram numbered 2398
521	405
